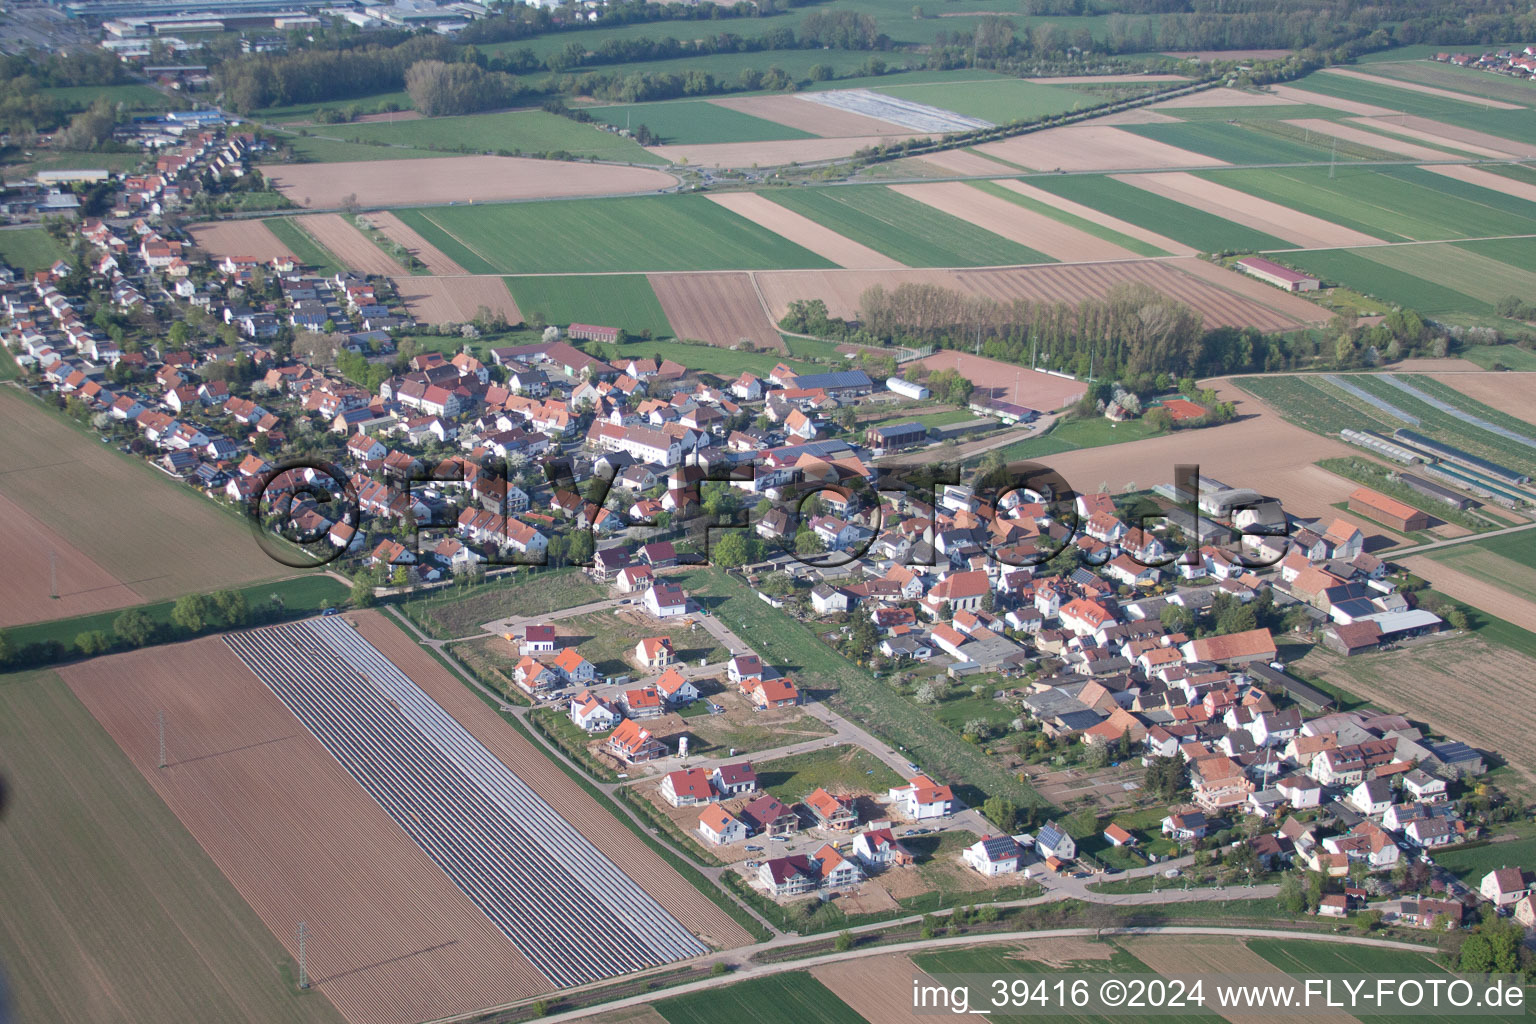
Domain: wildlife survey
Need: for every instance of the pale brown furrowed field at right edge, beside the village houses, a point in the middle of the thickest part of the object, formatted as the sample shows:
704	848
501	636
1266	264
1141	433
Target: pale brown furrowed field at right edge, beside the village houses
1462	685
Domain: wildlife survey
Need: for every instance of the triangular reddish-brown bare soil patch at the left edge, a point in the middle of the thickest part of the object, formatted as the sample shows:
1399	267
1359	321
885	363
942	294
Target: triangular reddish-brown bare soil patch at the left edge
36	558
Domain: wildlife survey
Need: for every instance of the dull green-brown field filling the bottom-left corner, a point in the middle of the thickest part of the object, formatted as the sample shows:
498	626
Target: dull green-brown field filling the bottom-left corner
113	910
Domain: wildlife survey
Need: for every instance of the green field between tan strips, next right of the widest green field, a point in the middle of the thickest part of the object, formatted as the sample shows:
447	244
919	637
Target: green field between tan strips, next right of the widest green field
904	230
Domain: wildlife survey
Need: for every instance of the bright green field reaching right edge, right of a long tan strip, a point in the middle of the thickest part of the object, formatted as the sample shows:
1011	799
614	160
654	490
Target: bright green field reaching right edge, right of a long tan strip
1389	203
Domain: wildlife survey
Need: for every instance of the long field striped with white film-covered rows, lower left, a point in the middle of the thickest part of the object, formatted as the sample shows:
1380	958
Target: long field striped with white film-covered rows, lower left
571	910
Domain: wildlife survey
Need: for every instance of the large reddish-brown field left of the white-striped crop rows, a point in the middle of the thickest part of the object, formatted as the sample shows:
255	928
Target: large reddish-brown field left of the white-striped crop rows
392	939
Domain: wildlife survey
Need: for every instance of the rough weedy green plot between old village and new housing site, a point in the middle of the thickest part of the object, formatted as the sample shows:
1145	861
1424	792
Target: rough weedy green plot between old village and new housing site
452	613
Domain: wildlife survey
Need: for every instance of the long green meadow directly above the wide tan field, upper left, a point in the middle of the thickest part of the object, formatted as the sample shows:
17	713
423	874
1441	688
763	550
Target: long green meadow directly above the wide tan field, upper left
509	131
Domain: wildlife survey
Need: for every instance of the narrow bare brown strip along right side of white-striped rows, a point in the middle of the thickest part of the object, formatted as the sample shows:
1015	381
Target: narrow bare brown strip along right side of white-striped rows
615	841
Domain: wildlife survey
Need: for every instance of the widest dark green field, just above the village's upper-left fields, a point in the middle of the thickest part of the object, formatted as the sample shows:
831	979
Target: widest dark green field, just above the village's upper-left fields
674	233
